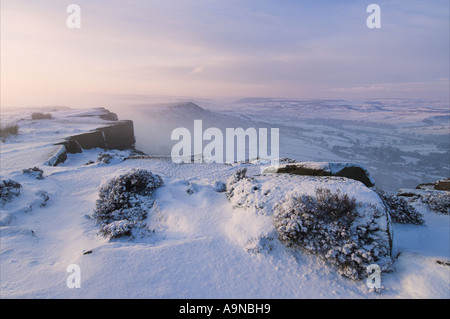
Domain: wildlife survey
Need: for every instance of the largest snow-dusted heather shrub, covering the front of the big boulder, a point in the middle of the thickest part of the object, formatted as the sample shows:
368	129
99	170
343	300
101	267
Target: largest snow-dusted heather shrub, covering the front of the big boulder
330	226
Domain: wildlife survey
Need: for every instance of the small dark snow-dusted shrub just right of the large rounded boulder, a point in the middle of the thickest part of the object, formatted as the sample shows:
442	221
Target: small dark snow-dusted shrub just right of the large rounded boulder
400	210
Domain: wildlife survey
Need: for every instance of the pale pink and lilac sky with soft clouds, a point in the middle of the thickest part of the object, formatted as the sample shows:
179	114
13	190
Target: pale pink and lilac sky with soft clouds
229	48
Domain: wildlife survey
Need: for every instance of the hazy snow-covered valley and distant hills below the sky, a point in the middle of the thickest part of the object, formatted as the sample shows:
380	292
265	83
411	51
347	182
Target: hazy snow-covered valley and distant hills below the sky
403	142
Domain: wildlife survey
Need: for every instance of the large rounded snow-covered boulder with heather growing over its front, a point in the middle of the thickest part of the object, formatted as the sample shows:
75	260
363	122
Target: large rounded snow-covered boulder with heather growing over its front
336	218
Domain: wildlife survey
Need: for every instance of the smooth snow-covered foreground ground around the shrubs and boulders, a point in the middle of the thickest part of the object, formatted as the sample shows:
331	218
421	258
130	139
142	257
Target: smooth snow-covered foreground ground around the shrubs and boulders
200	246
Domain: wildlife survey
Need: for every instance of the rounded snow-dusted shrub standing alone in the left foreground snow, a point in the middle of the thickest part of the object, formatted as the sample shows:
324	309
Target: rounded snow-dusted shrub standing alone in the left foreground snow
124	202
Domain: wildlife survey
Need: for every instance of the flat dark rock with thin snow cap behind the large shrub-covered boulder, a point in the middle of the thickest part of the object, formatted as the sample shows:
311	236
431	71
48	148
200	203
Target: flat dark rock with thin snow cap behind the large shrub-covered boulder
348	170
